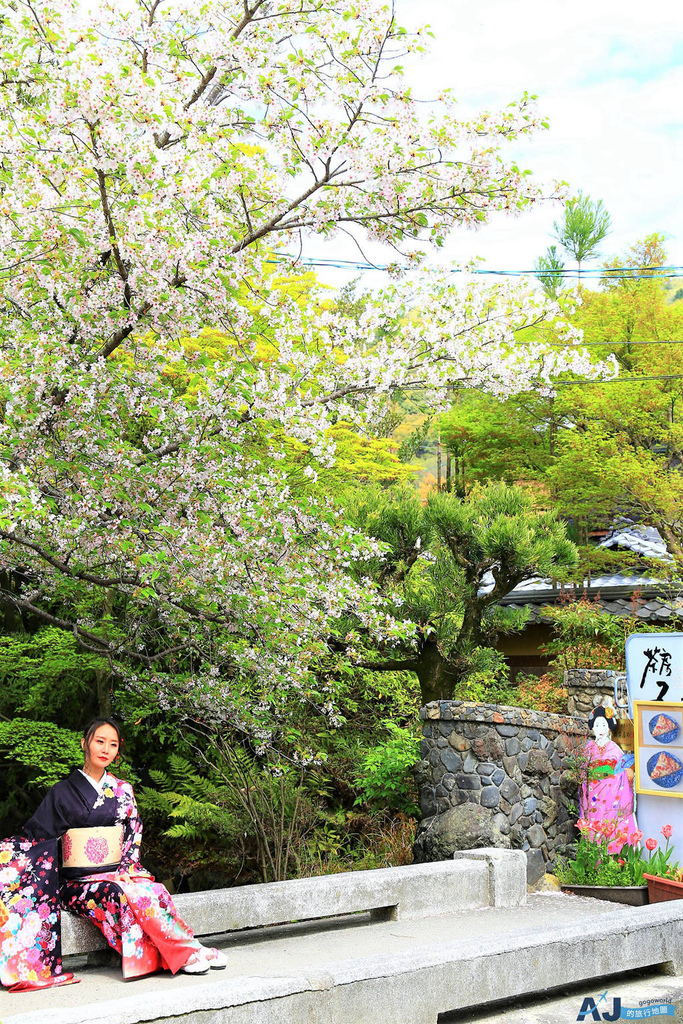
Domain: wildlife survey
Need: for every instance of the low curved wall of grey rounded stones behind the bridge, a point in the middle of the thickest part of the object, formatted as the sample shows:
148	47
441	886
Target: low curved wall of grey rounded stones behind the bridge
496	777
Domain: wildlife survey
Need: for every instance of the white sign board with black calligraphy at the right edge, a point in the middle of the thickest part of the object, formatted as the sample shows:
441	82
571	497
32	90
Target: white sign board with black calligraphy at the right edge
655	673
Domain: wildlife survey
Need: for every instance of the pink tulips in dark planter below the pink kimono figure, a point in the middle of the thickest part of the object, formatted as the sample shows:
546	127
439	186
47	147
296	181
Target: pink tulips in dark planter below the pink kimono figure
594	872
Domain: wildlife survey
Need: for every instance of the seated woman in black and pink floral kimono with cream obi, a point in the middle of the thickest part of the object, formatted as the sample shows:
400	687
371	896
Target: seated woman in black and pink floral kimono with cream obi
102	879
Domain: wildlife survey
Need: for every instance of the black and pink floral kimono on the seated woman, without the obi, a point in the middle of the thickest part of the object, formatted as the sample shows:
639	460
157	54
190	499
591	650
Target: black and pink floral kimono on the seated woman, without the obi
135	914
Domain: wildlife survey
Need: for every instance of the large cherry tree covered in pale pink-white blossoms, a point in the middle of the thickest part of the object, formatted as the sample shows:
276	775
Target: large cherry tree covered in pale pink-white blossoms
156	158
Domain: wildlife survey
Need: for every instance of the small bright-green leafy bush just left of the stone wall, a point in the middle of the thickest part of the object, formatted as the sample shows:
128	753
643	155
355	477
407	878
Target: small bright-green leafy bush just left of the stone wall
386	775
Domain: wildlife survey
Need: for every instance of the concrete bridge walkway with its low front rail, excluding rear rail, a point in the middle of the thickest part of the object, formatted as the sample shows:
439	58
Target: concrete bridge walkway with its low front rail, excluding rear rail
410	971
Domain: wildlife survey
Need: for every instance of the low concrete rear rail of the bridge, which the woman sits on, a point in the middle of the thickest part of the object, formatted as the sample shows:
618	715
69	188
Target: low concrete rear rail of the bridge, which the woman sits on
477	879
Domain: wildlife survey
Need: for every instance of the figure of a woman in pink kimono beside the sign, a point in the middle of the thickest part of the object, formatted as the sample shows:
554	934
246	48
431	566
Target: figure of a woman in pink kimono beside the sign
607	797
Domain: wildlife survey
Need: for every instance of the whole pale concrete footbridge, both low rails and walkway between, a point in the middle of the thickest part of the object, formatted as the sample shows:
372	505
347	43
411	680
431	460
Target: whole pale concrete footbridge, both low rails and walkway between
440	937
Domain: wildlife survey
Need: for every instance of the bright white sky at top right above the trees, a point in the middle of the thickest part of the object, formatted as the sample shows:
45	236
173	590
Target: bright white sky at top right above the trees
610	78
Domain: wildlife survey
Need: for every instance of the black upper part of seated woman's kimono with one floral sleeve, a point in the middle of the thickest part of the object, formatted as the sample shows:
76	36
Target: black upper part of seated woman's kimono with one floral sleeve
74	803
